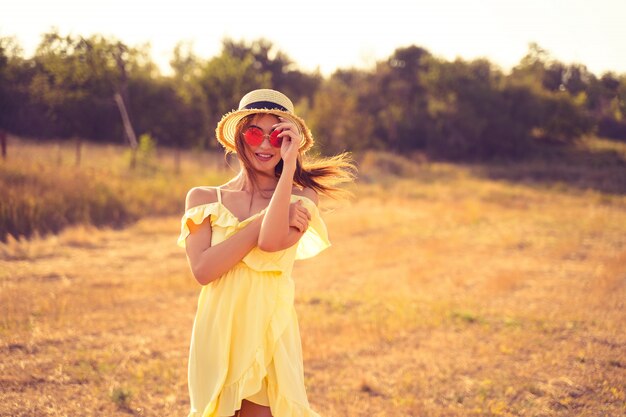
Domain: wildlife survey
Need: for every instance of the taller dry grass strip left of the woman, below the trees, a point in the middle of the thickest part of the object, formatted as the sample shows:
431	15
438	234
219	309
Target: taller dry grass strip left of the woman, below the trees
45	191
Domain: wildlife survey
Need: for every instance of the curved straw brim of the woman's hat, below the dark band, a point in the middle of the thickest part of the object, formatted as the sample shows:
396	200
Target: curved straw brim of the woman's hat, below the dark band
227	127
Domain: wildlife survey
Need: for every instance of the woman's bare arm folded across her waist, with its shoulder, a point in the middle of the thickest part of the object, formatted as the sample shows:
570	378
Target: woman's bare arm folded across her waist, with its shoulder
210	262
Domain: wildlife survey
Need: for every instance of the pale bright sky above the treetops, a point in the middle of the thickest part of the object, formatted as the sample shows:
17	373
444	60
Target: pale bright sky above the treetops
326	35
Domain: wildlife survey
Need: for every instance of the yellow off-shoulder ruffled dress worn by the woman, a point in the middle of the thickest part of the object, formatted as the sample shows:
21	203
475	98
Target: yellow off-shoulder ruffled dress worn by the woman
245	342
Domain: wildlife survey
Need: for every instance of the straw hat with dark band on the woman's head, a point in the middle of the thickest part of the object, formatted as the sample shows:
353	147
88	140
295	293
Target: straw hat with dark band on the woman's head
261	101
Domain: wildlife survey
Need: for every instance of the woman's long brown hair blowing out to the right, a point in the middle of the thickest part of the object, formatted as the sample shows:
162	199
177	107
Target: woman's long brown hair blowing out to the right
323	174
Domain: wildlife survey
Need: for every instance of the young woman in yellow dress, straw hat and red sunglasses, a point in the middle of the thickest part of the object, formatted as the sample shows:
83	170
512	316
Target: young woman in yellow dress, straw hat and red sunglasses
242	239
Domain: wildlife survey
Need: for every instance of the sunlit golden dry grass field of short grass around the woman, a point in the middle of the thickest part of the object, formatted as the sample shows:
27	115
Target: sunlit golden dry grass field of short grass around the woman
450	290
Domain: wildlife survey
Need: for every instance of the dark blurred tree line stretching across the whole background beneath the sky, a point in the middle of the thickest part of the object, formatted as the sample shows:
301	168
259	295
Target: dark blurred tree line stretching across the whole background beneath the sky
413	101
